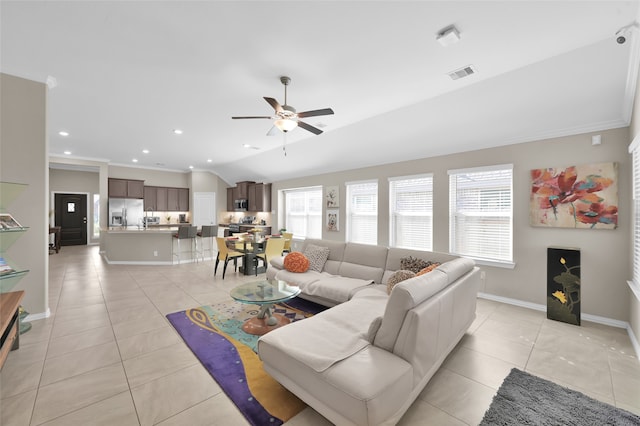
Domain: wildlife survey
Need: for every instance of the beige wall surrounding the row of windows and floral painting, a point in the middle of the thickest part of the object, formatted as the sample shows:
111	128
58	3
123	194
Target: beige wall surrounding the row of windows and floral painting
605	259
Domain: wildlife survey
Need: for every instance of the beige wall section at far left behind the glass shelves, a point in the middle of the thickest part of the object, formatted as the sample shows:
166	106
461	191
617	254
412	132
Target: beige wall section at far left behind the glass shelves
24	159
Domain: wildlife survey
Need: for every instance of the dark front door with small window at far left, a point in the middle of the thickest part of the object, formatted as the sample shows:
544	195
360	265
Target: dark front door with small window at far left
71	216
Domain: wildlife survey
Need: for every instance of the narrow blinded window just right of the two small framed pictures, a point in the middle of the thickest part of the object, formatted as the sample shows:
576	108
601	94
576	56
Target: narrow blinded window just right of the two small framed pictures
362	212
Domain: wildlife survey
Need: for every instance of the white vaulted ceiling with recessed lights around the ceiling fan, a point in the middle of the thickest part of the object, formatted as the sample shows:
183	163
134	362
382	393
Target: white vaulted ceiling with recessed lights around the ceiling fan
128	73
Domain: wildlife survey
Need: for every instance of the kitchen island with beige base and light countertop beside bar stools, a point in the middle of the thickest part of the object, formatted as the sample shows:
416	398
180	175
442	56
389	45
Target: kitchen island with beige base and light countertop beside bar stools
139	246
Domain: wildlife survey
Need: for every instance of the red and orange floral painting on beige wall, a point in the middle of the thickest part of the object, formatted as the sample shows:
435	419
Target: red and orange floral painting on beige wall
583	196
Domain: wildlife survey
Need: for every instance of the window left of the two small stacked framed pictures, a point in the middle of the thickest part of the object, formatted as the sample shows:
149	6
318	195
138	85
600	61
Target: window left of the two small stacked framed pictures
303	209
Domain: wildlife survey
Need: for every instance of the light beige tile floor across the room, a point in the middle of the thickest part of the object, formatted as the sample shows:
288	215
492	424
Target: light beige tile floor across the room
108	356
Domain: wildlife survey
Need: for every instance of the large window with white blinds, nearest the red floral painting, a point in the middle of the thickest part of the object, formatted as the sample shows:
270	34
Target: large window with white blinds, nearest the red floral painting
480	213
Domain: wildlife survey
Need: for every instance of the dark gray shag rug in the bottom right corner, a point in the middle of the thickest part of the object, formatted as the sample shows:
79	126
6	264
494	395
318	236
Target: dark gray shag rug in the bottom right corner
524	399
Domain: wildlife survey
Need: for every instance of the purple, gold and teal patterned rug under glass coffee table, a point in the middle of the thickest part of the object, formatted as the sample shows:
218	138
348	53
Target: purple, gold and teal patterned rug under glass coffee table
214	334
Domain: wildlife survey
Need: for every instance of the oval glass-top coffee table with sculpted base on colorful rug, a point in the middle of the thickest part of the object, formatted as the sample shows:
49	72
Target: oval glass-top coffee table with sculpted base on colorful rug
264	293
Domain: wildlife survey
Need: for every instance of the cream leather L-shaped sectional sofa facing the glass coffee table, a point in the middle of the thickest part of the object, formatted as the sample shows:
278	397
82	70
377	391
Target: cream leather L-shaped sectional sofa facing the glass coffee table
365	360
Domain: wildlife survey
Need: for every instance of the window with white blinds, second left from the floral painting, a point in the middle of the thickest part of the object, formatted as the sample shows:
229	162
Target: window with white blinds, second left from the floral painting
411	212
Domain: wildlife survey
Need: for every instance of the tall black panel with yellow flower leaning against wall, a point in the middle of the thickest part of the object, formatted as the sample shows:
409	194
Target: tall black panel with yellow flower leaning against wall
563	285
